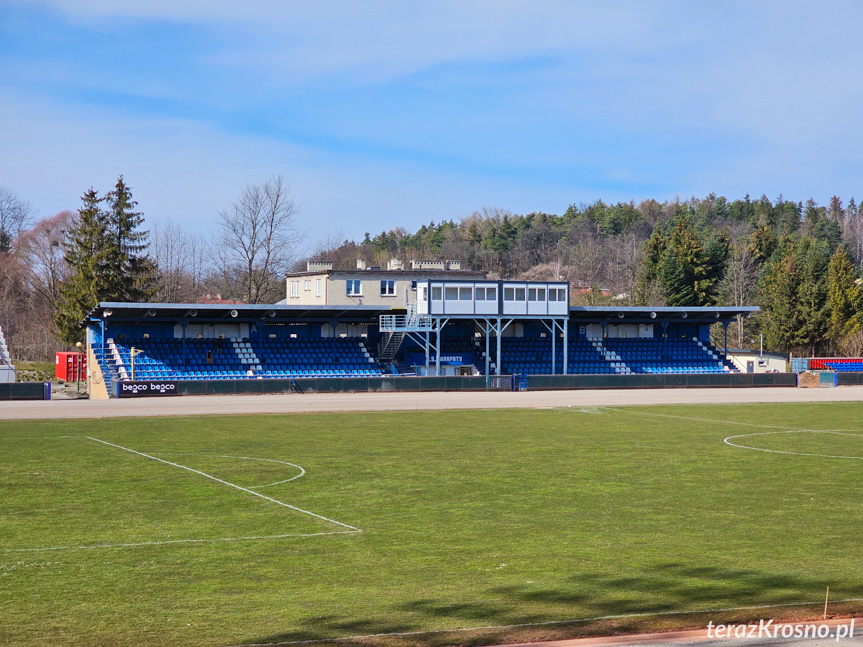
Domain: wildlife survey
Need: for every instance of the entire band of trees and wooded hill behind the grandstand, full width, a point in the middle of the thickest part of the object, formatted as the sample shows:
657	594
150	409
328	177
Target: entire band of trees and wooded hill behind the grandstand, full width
800	262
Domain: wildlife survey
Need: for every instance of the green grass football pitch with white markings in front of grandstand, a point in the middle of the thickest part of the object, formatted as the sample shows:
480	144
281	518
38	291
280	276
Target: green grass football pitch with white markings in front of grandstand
432	522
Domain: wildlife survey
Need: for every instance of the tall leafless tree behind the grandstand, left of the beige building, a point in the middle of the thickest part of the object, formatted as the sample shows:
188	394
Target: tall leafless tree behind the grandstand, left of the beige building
257	242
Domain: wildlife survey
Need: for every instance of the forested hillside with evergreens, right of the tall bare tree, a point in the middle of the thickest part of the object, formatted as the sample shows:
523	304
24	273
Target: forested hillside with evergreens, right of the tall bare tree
800	262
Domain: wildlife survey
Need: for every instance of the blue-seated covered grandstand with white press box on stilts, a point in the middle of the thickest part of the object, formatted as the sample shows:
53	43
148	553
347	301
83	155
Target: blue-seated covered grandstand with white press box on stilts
482	330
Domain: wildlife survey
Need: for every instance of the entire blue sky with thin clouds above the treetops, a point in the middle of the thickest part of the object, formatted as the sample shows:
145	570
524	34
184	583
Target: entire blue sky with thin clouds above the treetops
381	114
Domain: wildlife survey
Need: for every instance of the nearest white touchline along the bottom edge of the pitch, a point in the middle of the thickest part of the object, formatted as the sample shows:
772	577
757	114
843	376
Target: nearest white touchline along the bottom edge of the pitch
573	621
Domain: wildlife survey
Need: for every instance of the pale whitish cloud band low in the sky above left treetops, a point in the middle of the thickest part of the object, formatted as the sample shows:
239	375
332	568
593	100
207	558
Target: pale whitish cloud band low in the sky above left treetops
185	172
